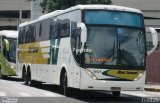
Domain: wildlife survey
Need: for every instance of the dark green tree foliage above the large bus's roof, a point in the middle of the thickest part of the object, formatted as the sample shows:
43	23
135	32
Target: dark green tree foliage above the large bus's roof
51	5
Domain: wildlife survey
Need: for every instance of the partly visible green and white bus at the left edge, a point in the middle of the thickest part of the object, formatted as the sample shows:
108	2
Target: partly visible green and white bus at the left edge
8	42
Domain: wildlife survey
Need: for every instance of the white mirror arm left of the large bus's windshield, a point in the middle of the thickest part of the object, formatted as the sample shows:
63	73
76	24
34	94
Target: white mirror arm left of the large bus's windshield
83	34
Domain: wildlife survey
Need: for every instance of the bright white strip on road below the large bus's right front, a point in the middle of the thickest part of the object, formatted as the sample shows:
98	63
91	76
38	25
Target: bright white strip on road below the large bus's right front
139	94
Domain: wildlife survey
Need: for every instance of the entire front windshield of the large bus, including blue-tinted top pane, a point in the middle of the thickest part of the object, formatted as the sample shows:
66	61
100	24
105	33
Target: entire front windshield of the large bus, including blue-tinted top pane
114	41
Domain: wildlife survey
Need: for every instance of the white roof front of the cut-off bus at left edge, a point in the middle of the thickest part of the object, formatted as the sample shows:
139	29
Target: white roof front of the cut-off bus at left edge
9	33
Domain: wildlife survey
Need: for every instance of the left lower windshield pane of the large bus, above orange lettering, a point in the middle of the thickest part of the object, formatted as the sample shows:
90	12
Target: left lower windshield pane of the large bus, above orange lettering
102	43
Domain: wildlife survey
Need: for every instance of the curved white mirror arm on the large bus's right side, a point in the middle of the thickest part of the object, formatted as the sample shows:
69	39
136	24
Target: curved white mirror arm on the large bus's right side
154	40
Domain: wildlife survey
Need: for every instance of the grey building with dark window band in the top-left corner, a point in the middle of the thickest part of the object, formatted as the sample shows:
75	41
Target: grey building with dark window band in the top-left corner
13	12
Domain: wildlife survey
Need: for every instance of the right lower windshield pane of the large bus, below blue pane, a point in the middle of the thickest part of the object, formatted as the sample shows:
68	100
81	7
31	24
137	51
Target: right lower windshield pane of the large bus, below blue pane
131	47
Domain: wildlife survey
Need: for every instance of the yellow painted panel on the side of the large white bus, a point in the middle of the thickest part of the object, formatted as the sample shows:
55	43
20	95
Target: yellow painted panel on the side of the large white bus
32	53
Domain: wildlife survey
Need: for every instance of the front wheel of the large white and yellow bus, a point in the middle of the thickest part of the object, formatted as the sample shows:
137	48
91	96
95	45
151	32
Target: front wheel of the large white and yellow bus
64	83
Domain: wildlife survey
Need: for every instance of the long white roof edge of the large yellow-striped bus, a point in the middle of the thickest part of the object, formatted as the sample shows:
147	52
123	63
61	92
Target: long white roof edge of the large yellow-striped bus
82	7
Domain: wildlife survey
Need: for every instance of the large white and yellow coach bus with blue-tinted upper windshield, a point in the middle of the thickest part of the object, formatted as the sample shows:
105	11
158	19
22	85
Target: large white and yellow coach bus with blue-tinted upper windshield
88	47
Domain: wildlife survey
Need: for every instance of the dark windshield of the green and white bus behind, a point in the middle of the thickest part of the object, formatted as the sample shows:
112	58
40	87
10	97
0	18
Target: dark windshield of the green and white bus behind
12	51
